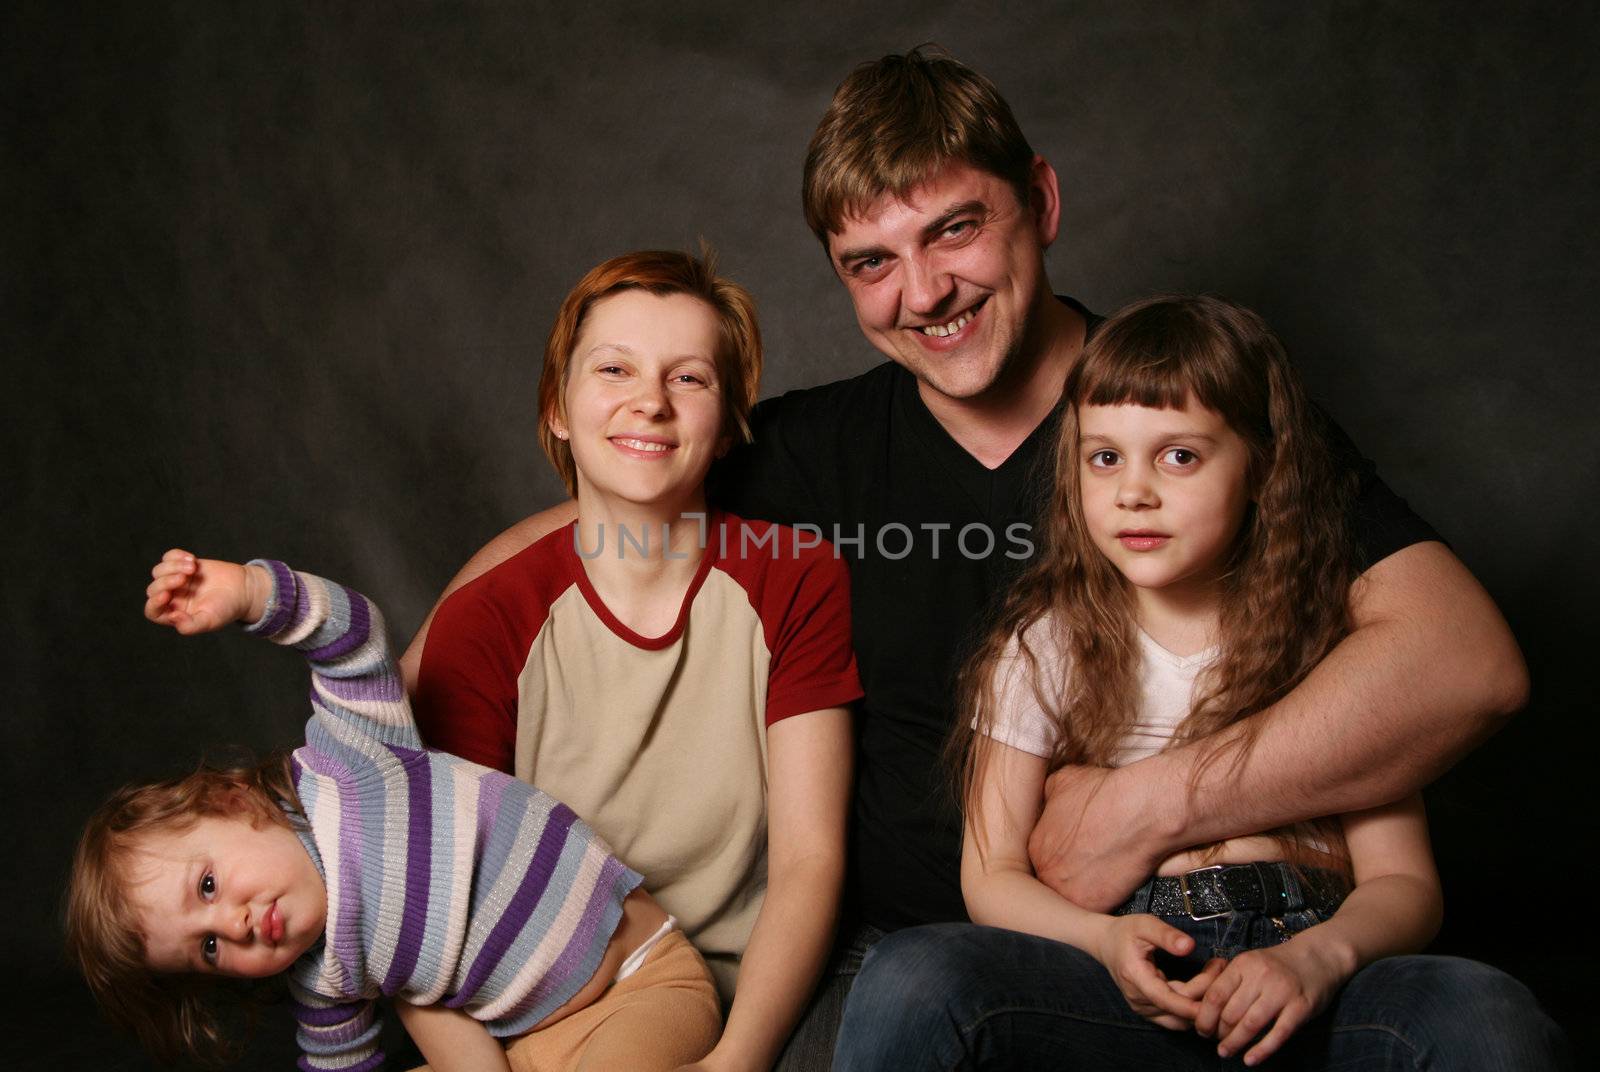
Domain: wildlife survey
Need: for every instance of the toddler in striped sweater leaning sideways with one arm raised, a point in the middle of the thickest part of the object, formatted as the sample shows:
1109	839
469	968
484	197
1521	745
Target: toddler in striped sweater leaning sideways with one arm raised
364	866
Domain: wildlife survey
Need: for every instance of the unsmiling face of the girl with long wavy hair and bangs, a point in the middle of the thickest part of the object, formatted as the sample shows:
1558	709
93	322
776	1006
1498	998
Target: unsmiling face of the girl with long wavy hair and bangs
1164	492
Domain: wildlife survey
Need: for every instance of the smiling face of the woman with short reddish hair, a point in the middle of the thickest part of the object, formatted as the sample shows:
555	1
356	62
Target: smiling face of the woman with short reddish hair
644	406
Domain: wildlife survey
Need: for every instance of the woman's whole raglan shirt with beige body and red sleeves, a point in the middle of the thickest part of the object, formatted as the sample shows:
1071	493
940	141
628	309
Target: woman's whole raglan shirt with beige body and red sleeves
658	743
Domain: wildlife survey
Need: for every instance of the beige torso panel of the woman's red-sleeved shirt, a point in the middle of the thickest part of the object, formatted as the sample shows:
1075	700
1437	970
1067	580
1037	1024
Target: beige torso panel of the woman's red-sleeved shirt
663	753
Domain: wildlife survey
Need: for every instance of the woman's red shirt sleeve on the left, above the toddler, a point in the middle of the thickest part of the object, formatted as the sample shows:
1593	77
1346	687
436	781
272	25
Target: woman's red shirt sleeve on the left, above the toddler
466	689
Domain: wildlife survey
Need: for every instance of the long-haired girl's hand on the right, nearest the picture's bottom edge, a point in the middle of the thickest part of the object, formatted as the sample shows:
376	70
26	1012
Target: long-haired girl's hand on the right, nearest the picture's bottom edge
1282	986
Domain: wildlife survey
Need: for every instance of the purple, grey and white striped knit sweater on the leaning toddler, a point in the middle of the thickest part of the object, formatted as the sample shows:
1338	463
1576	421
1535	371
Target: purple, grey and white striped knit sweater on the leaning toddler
447	882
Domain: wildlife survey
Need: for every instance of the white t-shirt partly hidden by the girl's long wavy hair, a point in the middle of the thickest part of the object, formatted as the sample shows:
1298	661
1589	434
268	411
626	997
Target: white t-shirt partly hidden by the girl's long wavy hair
1166	695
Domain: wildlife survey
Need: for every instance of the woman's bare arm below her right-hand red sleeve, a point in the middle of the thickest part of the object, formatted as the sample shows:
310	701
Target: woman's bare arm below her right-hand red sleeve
807	807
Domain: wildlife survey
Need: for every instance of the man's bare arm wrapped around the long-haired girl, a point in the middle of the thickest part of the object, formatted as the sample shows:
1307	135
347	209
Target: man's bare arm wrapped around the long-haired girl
1428	673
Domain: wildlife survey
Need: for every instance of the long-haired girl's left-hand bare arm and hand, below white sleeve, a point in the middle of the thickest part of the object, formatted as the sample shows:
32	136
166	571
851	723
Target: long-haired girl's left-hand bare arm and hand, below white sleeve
1001	890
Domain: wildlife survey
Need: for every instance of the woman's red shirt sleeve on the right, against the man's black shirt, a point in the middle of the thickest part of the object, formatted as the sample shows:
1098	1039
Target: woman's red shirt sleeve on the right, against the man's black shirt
804	604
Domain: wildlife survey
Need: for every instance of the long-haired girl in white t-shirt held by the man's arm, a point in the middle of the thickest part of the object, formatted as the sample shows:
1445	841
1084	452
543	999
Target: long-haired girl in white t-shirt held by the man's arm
1194	570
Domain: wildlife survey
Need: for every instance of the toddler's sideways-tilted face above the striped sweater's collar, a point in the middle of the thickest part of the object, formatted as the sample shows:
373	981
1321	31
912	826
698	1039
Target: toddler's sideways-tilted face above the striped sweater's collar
226	897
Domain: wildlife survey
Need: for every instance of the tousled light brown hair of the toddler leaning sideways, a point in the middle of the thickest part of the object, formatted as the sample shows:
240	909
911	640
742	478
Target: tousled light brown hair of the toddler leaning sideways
169	1014
